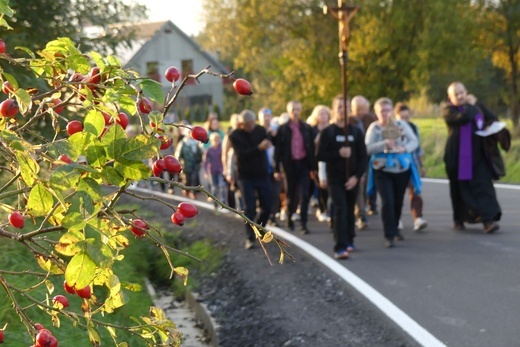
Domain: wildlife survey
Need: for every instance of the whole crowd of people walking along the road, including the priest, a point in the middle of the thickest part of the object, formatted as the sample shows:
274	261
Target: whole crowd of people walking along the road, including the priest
341	160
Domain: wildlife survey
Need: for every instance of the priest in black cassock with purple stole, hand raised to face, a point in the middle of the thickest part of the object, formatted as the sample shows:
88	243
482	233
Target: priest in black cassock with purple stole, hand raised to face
472	193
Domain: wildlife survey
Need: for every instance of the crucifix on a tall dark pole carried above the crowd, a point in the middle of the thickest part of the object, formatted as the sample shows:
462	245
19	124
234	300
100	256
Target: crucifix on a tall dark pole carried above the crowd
343	13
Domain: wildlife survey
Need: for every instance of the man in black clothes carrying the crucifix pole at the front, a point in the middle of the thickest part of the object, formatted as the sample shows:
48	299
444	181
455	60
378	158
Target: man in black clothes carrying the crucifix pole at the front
344	151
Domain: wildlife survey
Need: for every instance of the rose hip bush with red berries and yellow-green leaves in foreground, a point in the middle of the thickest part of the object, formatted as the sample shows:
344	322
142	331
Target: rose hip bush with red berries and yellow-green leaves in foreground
59	193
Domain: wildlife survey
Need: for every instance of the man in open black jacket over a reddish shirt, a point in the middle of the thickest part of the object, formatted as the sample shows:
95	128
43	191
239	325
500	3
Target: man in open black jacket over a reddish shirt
294	155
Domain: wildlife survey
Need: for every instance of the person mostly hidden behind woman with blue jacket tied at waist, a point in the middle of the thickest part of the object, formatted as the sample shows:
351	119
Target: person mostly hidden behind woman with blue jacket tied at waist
403	112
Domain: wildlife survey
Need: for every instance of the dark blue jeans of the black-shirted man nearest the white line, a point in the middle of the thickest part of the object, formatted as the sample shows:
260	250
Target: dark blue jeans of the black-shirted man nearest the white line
251	188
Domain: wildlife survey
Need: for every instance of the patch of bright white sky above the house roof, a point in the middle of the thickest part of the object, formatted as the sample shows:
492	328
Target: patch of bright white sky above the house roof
186	14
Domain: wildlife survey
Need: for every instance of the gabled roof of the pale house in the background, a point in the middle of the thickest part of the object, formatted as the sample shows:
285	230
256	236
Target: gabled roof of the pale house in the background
146	32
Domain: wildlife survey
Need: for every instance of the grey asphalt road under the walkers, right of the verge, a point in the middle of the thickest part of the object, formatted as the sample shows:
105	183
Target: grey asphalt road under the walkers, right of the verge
463	288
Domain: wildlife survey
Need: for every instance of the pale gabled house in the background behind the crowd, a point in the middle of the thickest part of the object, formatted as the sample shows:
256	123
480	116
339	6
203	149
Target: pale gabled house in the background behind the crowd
159	45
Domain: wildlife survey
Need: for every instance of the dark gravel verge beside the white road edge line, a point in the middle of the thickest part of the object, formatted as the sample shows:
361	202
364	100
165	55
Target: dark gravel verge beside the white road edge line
295	304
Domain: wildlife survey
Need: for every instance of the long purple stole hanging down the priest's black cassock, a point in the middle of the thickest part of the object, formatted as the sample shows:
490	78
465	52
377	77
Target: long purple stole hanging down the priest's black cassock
466	147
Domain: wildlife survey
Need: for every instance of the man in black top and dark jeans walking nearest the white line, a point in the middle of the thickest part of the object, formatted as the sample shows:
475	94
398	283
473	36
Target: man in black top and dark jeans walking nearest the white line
250	142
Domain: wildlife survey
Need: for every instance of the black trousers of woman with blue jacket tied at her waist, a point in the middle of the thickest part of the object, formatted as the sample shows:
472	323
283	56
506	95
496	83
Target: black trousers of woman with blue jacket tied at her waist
391	188
